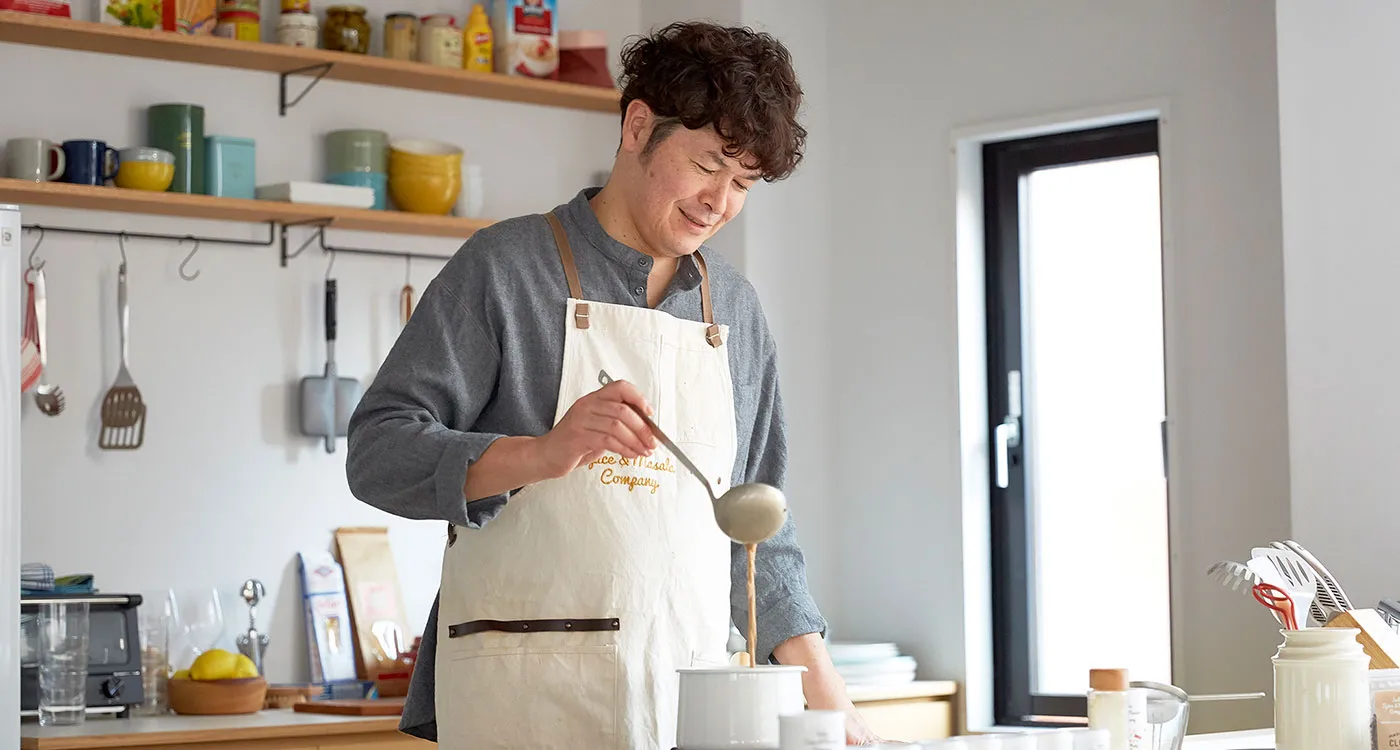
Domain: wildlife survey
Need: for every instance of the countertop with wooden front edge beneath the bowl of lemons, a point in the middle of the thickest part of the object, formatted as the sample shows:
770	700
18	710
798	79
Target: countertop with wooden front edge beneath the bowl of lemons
152	731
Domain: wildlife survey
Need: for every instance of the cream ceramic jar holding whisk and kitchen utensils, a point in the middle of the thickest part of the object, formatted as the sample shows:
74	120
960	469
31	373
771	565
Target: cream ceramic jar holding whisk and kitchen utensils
1322	696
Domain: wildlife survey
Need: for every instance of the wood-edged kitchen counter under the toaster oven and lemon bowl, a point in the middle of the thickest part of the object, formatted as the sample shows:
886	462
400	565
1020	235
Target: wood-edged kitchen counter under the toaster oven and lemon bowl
282	730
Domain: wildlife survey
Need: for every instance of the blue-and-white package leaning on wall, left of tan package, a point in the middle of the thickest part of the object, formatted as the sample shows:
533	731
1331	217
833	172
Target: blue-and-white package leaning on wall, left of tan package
330	636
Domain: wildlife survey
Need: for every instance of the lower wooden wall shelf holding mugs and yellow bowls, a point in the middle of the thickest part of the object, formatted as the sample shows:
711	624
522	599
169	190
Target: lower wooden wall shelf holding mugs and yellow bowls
230	209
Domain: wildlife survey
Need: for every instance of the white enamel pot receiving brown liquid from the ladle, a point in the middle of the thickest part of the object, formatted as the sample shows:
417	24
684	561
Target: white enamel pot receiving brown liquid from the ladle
727	707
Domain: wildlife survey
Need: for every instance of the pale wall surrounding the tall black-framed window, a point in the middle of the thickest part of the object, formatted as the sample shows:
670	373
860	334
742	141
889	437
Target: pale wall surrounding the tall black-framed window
905	76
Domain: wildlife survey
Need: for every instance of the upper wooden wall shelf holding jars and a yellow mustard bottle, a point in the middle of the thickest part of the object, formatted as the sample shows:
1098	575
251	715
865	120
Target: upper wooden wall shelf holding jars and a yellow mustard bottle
50	31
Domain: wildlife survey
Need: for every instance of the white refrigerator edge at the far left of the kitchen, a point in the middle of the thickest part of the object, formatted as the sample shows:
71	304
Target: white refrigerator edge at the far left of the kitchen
10	323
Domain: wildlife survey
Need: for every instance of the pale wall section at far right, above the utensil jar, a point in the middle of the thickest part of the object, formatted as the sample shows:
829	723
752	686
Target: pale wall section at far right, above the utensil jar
1336	121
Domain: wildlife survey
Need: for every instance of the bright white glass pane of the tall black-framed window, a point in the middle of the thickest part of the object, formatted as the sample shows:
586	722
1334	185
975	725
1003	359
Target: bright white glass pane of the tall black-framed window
1094	384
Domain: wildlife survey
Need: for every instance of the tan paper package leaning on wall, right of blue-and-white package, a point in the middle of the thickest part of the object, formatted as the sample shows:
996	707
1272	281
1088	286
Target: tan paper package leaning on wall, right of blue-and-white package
377	612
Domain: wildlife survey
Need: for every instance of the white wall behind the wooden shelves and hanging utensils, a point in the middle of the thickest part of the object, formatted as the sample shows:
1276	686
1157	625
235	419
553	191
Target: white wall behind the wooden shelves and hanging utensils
223	488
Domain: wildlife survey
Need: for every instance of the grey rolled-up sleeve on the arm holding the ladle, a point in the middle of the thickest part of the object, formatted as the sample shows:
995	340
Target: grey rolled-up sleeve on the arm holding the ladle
411	444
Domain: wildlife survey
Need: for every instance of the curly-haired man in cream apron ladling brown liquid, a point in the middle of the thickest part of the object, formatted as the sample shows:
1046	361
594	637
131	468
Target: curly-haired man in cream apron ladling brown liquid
582	569
